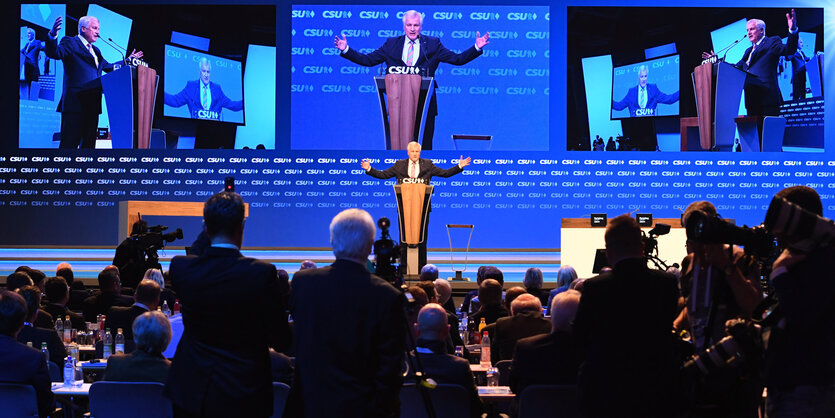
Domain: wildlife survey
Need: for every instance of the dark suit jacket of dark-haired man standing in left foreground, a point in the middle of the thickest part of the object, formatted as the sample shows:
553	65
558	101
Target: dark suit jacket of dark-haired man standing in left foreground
233	310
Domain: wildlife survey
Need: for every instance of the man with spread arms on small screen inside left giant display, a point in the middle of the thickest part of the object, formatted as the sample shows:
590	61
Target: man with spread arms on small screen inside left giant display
205	100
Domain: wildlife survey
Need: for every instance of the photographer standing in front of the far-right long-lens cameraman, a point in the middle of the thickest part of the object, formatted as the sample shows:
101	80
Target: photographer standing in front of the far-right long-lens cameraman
719	284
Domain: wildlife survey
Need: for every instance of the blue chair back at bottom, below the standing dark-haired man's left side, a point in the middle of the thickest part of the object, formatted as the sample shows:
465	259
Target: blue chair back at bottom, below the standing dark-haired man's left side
129	400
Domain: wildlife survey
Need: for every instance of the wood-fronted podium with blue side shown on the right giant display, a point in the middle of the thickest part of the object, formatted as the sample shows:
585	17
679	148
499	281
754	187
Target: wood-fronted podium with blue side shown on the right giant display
718	88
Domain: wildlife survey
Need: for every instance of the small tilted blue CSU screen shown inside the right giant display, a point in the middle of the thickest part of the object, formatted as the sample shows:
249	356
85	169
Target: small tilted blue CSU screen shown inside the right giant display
648	88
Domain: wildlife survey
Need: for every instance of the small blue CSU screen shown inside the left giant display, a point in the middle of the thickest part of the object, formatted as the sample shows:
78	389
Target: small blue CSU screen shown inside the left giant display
202	86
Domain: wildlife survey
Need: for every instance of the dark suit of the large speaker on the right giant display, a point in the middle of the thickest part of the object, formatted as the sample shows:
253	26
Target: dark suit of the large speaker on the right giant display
762	94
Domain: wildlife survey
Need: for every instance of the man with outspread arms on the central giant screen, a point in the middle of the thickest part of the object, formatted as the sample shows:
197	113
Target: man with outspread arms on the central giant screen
414	50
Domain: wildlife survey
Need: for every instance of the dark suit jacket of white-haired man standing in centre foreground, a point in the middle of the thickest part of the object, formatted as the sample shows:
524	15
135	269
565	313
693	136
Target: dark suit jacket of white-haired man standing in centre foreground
350	334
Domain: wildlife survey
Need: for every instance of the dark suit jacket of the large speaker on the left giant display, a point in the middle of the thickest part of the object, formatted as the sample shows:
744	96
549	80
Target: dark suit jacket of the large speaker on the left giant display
82	82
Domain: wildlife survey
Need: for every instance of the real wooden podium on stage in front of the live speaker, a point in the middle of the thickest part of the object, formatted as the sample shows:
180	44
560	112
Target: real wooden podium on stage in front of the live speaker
413	205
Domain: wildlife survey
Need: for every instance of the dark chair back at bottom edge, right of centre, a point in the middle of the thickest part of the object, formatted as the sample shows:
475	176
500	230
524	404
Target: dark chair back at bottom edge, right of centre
553	401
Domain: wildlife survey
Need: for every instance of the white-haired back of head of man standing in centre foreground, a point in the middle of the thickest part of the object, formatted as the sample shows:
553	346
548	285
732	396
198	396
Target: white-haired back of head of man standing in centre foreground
352	234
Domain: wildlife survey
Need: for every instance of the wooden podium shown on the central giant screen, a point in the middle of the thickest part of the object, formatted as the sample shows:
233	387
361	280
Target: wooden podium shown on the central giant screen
404	105
